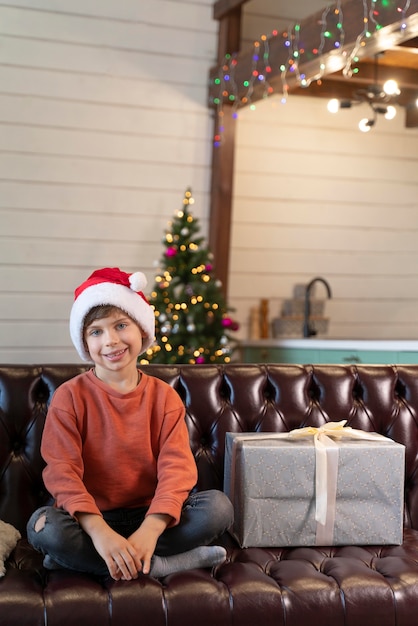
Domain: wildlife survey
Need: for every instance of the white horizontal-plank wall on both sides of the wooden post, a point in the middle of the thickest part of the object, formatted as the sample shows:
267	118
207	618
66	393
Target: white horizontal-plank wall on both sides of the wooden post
103	125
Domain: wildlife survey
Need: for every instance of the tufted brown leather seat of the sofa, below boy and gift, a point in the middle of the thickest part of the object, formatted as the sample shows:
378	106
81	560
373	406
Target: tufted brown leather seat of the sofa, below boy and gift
327	586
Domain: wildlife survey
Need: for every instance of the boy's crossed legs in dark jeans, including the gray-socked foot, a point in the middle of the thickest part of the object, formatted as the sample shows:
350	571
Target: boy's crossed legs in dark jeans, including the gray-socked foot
205	516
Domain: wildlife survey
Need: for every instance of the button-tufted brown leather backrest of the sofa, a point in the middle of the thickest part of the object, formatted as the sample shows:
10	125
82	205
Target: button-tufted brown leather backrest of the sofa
218	399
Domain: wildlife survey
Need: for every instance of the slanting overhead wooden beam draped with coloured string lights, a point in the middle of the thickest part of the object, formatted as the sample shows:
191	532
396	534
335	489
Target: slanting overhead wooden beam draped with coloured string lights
310	64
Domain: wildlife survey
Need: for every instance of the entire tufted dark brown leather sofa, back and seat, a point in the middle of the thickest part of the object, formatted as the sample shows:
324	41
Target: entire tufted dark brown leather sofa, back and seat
331	586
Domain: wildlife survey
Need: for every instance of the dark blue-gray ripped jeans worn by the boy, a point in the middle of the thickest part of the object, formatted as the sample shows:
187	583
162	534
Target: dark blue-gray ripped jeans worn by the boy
205	516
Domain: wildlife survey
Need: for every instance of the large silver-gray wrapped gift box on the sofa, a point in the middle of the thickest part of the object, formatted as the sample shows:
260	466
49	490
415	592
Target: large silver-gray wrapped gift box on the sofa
271	481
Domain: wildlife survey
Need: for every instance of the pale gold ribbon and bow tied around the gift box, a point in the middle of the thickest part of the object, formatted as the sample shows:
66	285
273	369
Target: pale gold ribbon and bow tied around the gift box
326	470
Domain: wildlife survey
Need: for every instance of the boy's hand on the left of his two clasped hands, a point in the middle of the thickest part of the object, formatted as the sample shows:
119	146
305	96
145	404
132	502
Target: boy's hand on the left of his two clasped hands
119	553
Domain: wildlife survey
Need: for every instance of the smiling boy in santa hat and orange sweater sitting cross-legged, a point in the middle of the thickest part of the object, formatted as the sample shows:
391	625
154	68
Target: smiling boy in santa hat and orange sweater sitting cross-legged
117	452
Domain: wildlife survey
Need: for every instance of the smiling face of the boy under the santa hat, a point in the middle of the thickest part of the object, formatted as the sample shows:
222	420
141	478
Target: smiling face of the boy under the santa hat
113	341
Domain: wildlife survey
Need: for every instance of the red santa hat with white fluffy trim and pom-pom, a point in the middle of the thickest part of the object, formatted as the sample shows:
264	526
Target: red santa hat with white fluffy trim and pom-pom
111	286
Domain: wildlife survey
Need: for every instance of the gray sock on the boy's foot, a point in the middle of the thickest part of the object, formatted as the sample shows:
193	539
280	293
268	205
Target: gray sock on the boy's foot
203	556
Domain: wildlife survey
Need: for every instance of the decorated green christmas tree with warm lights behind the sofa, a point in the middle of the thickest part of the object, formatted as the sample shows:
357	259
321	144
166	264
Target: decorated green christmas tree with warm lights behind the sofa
191	315
